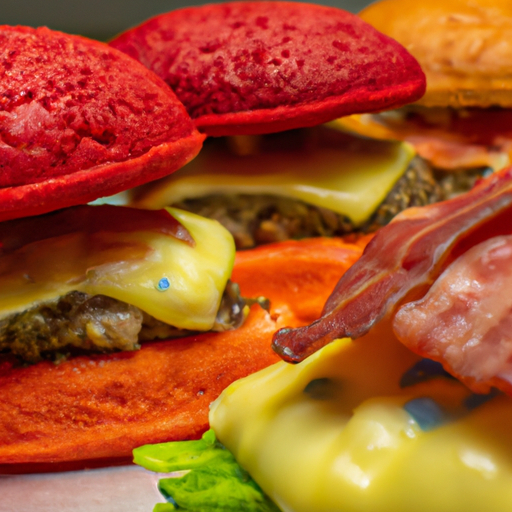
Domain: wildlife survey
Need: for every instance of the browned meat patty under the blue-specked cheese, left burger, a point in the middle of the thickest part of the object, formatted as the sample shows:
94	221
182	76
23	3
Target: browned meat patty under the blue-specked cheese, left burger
81	322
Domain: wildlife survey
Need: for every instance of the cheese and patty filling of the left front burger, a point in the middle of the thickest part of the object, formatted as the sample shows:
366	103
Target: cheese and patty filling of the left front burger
109	290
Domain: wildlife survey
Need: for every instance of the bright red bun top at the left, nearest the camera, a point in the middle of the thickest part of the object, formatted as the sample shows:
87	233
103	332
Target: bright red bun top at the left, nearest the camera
80	120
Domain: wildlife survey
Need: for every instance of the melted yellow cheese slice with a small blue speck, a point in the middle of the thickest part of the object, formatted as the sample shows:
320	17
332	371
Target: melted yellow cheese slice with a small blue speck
129	267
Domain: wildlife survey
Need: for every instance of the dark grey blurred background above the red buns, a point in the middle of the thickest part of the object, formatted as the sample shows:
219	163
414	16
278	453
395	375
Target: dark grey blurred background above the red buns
103	19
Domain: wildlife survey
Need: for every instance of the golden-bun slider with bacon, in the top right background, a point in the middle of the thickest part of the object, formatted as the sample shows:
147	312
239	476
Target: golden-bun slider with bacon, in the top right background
463	122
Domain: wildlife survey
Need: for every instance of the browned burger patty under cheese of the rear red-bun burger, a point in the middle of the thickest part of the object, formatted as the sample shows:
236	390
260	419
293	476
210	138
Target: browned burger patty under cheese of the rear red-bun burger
260	219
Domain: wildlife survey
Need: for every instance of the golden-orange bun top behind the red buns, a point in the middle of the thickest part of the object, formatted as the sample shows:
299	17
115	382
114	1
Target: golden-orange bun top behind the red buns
464	47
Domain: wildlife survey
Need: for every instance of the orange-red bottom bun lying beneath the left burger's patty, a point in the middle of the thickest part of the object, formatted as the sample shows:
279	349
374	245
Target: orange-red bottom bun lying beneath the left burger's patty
101	407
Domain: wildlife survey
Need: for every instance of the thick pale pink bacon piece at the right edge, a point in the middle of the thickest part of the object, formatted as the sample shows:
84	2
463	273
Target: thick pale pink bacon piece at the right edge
465	321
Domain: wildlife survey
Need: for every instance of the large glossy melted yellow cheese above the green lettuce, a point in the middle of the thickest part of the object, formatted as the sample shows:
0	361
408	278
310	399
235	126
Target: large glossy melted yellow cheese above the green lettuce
333	434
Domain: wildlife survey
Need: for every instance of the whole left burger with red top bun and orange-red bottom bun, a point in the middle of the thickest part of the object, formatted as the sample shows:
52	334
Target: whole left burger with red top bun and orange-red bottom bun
79	120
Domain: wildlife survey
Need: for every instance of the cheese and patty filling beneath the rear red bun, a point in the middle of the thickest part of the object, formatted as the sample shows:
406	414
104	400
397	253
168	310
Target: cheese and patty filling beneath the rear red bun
304	183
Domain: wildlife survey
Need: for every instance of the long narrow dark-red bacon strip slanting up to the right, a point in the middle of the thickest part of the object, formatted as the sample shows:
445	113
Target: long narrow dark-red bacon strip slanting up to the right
403	259
